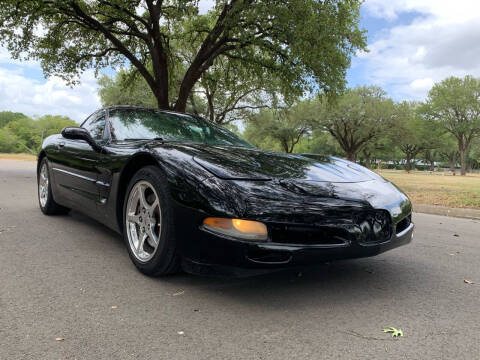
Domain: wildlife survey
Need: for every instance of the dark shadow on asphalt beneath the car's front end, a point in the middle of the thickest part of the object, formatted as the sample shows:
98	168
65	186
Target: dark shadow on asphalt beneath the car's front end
349	282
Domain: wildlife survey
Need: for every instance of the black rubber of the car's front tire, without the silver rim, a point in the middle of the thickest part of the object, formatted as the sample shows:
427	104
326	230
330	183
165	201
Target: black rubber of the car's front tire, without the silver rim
166	249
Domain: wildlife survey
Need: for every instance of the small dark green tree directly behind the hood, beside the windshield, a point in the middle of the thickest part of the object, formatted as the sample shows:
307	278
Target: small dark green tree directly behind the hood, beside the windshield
286	127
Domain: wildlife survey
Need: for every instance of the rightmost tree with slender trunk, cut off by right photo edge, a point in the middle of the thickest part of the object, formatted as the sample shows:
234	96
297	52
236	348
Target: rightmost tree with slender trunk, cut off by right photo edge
454	103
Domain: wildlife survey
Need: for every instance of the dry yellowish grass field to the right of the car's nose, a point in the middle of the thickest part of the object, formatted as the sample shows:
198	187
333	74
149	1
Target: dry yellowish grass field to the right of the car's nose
438	188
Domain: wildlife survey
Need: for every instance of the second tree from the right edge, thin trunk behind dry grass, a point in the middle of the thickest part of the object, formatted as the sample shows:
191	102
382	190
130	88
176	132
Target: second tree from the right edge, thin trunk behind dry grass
412	133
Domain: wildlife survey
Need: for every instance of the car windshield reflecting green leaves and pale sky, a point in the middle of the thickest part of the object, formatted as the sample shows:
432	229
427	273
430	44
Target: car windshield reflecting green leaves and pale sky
140	124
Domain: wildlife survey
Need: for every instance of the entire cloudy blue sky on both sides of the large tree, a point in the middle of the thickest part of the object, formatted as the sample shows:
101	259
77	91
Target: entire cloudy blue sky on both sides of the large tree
411	45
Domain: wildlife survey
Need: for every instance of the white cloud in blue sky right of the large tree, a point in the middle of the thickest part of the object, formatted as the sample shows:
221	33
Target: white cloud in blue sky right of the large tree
440	41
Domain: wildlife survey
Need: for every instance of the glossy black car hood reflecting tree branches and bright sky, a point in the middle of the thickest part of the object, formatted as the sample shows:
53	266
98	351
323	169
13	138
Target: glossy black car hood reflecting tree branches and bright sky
237	163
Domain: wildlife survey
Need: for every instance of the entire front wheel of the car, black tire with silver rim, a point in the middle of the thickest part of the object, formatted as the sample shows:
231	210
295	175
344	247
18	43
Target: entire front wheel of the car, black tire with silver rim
148	228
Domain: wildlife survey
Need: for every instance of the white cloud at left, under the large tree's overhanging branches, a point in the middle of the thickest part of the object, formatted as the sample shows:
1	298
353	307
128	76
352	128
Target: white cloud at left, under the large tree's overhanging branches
20	93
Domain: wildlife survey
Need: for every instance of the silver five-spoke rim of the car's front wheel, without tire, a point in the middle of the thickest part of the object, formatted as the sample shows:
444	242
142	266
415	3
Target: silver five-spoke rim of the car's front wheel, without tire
143	218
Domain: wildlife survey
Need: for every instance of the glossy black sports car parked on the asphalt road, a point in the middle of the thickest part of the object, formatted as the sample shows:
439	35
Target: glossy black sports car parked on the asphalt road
187	193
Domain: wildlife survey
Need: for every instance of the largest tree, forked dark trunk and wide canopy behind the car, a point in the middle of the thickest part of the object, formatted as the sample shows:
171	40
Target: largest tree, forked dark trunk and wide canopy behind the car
305	44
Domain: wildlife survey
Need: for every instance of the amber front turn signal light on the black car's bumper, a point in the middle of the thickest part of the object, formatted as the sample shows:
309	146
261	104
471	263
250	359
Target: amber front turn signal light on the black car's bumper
237	228
